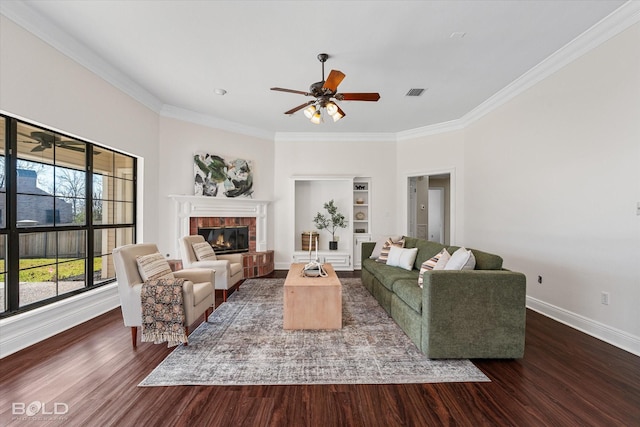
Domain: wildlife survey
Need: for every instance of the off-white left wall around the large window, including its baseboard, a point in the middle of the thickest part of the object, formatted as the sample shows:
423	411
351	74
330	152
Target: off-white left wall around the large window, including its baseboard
39	84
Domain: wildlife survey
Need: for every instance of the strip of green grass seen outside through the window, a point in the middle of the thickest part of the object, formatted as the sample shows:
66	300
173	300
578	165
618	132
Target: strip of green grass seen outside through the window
43	270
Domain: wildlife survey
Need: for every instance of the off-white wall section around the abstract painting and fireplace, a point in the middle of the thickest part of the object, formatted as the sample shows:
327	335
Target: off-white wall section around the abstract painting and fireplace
179	141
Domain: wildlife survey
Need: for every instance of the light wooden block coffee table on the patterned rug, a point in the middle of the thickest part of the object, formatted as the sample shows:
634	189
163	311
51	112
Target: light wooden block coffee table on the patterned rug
312	302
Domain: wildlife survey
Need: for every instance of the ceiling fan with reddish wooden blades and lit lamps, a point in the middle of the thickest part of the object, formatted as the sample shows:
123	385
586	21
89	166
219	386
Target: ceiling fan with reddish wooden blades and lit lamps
326	93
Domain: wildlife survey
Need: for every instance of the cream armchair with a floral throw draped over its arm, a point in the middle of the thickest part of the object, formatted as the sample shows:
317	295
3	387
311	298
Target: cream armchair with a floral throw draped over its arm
197	291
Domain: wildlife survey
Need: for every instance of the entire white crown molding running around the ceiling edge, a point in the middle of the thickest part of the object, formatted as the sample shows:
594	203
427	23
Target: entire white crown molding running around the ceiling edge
626	15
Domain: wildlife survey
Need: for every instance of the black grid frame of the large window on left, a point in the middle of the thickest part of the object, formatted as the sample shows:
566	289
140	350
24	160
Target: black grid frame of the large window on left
122	229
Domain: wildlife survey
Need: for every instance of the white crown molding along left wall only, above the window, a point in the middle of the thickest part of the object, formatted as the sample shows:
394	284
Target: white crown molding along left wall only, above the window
43	28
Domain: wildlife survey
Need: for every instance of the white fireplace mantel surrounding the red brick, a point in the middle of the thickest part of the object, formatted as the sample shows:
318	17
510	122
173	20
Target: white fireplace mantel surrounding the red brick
202	206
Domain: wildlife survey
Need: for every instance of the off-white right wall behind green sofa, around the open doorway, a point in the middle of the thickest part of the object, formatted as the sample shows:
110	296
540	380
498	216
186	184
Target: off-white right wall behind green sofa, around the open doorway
551	183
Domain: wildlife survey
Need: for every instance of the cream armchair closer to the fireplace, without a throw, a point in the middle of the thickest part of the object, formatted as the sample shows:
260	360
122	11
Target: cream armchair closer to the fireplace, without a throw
229	271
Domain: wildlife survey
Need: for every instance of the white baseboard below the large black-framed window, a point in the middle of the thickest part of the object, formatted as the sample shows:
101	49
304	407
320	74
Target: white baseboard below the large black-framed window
23	330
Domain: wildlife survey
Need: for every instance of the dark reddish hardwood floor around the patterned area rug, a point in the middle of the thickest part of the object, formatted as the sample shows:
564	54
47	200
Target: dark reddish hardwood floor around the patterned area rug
566	378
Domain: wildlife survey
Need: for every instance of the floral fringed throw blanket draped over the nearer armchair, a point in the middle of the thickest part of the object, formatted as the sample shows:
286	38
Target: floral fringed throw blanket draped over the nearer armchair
163	312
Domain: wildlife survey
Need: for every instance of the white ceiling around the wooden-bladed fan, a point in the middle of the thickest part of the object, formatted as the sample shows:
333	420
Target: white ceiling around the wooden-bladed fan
180	51
